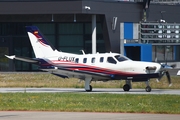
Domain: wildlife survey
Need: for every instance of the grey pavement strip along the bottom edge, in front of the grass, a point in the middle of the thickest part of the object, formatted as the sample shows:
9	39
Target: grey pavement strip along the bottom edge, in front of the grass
21	115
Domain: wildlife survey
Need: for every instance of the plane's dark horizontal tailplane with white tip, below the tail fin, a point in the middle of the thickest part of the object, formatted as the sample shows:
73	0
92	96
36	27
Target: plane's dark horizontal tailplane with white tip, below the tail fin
25	59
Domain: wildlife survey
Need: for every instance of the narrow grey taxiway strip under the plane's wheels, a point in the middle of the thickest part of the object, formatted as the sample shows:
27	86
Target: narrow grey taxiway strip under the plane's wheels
95	90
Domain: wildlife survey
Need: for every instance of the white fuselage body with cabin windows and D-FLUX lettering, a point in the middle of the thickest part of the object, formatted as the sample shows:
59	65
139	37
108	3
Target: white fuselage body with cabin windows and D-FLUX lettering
105	61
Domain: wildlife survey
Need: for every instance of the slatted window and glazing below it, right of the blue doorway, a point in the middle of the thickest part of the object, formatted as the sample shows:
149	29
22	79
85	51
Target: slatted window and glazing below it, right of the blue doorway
165	40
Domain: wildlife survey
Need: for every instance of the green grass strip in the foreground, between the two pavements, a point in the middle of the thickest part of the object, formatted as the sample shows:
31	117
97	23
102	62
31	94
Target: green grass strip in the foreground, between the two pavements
78	102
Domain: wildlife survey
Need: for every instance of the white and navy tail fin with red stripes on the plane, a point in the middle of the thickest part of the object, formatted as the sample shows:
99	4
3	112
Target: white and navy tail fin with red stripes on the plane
41	46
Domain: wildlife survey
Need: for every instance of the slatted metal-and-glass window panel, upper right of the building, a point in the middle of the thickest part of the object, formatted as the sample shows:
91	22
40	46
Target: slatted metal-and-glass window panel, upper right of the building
160	32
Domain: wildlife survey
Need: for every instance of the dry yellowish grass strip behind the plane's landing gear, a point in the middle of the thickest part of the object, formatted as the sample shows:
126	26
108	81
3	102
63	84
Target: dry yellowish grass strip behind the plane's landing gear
47	80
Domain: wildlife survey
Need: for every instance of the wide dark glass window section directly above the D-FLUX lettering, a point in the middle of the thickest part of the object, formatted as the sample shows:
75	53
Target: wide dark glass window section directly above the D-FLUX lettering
70	37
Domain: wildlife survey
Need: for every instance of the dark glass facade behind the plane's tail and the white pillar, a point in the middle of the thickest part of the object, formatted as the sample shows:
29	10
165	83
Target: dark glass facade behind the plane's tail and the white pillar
67	37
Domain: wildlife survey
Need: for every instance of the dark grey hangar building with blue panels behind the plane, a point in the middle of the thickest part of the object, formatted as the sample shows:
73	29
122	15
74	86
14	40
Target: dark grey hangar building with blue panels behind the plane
140	29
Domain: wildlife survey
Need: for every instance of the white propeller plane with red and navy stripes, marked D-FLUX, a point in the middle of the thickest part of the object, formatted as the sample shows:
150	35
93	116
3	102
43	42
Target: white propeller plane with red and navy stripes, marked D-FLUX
91	67
